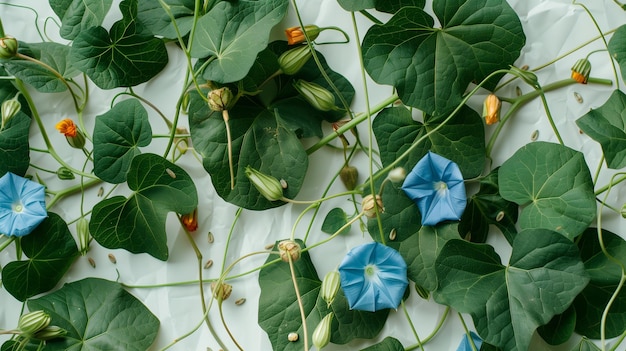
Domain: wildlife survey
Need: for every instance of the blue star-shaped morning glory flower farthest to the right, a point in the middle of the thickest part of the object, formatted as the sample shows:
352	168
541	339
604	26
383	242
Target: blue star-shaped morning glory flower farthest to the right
436	185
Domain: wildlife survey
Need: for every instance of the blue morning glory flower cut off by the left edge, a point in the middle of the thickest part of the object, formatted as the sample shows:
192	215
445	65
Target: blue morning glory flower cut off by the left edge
22	205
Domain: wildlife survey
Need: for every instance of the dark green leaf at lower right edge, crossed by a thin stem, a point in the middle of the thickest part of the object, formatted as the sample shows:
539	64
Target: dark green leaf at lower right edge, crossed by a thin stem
605	277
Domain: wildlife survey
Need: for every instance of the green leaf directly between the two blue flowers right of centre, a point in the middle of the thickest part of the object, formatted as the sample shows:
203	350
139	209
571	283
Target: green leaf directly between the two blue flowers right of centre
419	246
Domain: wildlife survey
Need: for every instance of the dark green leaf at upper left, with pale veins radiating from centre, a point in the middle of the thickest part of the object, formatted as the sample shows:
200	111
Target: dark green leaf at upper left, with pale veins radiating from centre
126	56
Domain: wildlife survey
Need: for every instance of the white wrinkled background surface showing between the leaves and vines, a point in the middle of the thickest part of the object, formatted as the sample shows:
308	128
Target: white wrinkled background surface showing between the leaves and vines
552	28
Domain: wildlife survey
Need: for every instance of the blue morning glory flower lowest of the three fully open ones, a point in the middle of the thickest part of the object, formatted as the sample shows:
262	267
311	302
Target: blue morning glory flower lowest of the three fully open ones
373	277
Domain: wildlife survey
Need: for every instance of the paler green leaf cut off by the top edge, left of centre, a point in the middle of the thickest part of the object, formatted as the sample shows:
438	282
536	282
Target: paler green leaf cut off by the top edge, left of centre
234	33
